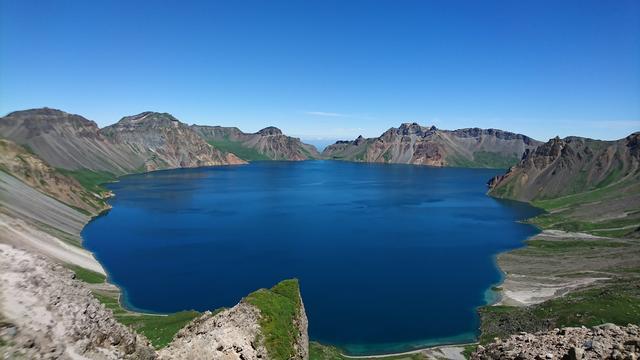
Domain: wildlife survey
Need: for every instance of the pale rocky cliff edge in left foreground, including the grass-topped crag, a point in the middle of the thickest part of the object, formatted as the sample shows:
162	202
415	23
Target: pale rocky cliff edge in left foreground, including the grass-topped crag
46	312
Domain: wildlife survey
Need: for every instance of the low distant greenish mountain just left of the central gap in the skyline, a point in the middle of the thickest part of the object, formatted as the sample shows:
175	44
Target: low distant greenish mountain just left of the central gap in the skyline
267	144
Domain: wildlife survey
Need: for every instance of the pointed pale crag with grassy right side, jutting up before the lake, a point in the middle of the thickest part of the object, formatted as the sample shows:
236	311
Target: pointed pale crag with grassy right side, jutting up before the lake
245	331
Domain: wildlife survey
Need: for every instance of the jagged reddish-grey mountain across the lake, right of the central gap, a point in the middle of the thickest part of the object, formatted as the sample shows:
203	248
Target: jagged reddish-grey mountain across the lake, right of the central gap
415	144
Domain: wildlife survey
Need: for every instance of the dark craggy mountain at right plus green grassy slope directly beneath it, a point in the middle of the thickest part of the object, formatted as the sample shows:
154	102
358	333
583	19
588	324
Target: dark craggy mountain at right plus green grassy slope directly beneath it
585	185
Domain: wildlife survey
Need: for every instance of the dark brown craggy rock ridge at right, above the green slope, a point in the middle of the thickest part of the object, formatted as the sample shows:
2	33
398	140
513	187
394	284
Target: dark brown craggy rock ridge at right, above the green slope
569	166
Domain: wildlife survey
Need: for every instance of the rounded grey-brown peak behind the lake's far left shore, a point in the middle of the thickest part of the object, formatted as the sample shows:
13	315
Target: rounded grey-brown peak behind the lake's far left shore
164	142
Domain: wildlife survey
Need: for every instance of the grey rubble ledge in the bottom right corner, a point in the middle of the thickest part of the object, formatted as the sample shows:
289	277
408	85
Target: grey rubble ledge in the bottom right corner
606	341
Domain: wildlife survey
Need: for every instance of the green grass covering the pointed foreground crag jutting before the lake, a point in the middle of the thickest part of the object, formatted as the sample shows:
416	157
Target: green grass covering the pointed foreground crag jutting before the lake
279	307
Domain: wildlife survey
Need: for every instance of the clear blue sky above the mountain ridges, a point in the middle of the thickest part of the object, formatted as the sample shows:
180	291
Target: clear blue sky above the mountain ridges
333	68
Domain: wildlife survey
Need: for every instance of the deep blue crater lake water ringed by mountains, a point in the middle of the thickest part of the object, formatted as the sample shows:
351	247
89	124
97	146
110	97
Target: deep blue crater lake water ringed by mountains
389	257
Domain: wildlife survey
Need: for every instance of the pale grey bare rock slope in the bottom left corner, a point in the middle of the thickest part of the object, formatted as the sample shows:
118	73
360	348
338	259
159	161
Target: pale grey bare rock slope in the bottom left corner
46	314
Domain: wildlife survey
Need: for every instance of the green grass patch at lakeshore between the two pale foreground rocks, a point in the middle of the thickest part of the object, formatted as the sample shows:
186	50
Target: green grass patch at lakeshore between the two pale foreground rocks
159	329
